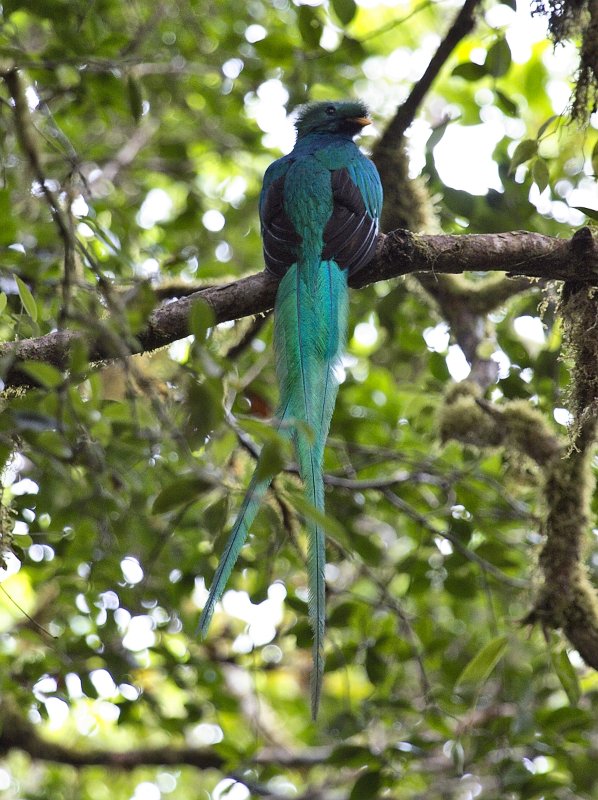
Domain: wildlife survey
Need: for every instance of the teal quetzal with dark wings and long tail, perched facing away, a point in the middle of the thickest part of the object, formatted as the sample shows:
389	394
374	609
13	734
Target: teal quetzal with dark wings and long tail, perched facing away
319	212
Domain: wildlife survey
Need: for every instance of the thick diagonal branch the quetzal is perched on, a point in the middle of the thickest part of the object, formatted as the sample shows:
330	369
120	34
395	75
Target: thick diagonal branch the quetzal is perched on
518	253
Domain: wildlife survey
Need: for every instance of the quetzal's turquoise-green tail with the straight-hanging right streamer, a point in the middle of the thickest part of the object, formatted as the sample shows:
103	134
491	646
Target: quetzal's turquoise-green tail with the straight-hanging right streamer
310	325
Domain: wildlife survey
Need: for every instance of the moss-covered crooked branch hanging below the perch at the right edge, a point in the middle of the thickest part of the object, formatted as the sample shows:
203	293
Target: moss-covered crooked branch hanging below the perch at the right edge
566	599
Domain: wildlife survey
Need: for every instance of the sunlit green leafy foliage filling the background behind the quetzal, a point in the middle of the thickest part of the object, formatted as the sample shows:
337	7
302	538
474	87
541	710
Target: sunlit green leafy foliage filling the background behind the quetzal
146	129
